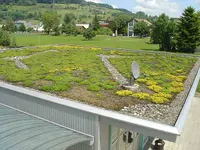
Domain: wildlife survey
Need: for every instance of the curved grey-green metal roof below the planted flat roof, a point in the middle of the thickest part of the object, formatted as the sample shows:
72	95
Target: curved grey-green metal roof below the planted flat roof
20	131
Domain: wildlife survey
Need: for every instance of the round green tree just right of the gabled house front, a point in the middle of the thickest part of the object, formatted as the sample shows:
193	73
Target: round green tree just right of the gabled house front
141	29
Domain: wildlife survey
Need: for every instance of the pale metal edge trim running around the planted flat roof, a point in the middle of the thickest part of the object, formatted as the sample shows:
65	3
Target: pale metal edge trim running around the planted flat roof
148	128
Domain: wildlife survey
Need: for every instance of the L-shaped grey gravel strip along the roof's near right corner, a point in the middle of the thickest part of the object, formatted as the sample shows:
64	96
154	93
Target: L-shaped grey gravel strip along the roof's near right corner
167	114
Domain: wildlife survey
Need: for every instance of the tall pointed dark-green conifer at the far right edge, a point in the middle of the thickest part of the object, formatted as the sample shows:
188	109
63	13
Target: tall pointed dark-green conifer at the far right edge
188	31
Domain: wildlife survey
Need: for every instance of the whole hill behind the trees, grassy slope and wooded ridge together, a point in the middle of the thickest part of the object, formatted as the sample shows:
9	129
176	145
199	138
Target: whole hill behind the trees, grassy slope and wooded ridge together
31	10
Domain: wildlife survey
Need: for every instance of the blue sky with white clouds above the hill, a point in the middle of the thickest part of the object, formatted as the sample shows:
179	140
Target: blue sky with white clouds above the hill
172	8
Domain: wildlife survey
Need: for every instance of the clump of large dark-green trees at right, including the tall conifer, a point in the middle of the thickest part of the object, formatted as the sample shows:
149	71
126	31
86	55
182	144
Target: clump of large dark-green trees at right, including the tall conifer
181	35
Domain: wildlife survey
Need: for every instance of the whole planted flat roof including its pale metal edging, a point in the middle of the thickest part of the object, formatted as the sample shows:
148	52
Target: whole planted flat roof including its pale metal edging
84	77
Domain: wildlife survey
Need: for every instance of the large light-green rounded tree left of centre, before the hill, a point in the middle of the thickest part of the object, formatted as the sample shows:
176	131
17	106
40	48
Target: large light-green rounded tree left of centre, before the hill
50	21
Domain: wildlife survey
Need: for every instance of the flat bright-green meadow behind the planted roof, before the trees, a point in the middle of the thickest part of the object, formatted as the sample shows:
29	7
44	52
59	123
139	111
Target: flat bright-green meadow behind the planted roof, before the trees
99	41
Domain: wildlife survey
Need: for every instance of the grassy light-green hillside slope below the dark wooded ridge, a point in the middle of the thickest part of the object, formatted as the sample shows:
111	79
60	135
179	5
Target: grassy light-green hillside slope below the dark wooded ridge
83	13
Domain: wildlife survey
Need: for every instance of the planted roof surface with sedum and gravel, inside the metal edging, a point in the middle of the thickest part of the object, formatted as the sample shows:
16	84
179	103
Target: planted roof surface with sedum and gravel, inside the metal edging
97	77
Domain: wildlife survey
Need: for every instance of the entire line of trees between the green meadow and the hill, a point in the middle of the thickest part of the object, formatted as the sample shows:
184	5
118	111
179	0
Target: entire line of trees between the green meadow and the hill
174	35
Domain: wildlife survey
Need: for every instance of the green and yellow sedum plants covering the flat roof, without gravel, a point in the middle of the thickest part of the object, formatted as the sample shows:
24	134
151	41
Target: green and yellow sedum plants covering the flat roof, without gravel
78	73
